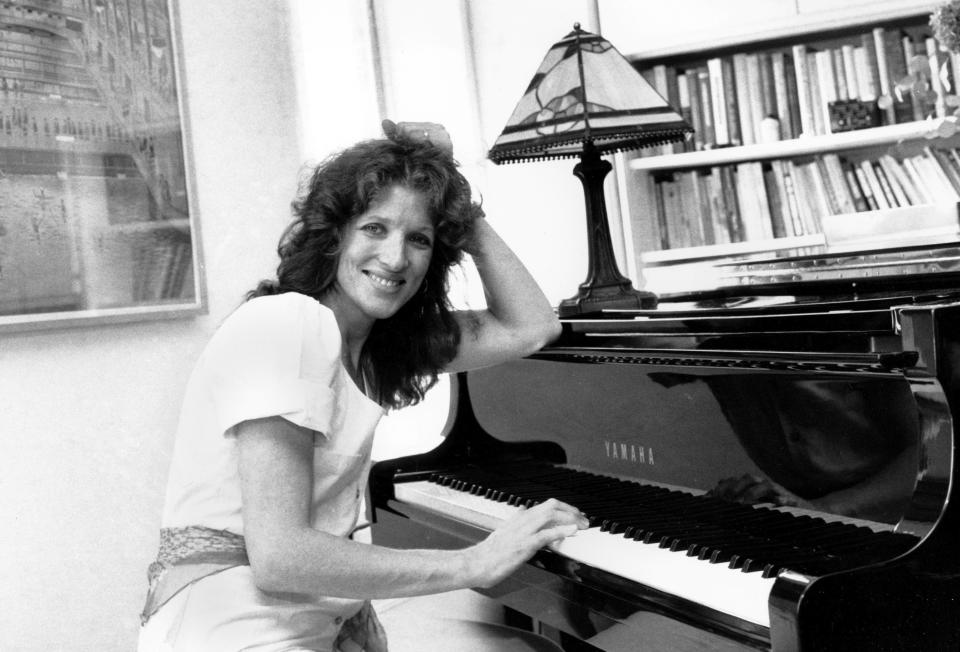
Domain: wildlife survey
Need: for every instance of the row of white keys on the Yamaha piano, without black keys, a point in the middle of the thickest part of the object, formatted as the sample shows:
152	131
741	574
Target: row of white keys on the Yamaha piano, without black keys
730	591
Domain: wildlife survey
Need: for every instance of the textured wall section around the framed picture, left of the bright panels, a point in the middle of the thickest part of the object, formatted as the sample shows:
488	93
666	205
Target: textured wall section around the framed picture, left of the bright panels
88	413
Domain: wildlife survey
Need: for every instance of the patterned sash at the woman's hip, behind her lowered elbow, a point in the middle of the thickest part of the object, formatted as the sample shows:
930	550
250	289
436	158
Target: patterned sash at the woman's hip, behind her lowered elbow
188	554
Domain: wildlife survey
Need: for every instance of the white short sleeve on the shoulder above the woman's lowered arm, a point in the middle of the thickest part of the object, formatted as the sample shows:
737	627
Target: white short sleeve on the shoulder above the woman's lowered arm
276	356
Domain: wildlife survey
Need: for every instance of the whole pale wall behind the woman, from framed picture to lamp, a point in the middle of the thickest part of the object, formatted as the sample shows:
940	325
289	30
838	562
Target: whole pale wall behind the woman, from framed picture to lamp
88	413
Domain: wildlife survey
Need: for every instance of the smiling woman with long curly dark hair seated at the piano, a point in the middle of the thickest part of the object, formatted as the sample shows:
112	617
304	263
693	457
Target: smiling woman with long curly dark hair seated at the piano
273	446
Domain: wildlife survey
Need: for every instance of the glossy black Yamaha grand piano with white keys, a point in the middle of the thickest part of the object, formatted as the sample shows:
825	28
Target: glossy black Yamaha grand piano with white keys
767	464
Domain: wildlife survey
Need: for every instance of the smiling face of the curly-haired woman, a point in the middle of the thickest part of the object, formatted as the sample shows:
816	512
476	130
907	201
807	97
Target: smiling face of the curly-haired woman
384	257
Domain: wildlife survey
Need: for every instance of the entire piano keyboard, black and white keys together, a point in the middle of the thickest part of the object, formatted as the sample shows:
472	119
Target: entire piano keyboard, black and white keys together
719	554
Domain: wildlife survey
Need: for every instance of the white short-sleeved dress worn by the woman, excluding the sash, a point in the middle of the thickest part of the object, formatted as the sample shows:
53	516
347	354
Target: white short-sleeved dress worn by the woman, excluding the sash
274	356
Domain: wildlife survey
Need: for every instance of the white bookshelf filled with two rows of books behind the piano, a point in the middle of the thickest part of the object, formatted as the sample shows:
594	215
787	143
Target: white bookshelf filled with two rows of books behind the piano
793	152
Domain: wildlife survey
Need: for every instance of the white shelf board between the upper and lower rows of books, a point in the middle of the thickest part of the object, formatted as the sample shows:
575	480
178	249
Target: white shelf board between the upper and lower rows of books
804	146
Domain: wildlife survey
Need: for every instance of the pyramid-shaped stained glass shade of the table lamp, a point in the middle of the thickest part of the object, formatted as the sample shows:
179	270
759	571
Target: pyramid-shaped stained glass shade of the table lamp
586	91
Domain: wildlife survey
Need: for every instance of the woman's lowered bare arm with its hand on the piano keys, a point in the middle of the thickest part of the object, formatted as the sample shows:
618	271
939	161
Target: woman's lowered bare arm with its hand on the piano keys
287	555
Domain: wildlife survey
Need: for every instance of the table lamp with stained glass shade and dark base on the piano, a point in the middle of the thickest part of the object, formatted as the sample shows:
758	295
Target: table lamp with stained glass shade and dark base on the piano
586	100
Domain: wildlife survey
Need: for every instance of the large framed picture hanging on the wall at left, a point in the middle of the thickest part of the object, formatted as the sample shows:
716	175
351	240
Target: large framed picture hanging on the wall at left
96	222
